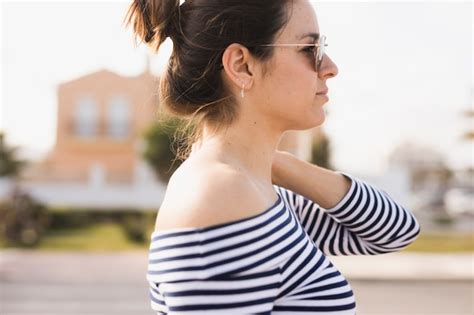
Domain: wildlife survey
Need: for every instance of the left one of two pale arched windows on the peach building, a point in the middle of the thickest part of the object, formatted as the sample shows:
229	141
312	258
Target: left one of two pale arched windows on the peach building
86	117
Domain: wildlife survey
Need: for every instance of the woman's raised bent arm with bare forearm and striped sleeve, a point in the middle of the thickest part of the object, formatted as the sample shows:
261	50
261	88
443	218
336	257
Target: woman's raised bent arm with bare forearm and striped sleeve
359	220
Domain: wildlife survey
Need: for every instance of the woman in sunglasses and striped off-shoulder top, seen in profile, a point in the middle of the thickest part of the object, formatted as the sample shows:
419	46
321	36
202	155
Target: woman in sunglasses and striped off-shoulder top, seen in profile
245	228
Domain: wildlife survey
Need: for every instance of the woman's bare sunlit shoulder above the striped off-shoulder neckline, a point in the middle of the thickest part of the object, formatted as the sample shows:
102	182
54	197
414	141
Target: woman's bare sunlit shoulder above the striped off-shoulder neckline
203	194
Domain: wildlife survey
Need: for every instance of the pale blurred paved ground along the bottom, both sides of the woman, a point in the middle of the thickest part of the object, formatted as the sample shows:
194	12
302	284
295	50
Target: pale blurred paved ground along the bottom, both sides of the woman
113	283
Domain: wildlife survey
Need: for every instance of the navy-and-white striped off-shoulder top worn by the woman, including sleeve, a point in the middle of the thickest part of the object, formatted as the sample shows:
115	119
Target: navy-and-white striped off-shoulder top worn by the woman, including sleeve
276	262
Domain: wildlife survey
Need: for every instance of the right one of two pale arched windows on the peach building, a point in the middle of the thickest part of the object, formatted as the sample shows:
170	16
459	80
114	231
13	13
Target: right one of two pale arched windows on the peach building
118	117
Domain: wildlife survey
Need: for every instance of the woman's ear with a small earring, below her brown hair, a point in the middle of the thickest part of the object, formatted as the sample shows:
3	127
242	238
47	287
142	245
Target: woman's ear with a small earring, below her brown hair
239	65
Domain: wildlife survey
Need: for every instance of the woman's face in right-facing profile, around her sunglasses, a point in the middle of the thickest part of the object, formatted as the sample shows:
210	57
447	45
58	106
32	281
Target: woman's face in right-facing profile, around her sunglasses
289	91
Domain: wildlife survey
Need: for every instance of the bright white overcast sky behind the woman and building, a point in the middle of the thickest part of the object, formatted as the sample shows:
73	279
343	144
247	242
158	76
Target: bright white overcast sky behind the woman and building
405	72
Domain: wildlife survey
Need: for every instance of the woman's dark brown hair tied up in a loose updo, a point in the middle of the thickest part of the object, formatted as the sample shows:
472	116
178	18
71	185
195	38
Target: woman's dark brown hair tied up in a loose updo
192	87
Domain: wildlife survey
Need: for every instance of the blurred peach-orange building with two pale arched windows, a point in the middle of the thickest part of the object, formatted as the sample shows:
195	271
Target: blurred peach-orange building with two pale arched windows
99	121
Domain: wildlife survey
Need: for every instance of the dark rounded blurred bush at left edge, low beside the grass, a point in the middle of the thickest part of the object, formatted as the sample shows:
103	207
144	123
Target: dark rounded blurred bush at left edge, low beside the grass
23	221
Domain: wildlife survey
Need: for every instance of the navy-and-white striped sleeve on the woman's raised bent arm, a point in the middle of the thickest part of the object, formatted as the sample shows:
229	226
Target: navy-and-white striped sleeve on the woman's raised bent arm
367	221
